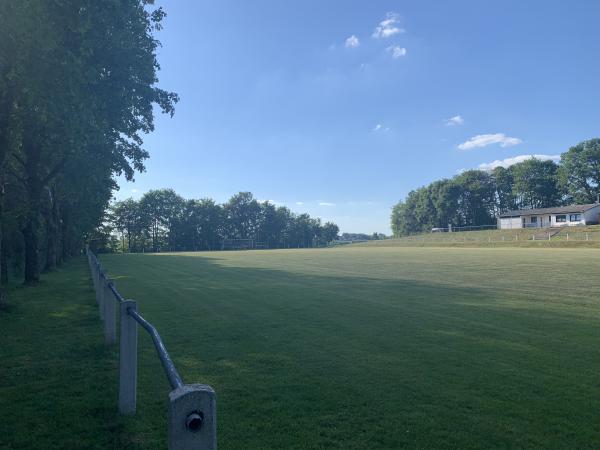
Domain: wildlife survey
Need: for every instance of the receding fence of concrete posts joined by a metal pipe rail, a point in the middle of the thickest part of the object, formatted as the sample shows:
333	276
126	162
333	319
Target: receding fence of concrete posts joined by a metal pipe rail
191	415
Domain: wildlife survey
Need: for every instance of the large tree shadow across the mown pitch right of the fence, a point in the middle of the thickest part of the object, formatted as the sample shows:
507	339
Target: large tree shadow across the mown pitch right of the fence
317	361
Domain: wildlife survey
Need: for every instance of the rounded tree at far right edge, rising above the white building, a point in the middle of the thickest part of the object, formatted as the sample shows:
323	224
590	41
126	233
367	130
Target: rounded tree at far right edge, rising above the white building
579	173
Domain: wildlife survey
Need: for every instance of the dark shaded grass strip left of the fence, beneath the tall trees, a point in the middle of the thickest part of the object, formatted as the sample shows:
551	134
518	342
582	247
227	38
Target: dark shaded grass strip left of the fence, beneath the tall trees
57	379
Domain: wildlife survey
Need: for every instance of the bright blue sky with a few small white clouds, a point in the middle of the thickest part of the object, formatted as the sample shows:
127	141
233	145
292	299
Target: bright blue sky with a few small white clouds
340	108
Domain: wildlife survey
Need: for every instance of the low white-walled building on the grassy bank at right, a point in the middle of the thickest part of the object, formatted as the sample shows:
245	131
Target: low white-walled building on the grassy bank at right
559	216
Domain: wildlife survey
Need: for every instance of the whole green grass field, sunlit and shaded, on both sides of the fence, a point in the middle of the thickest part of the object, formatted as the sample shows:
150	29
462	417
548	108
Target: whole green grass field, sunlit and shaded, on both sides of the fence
353	347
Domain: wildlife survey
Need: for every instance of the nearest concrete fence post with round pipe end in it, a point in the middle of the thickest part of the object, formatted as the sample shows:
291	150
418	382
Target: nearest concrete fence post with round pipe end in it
192	418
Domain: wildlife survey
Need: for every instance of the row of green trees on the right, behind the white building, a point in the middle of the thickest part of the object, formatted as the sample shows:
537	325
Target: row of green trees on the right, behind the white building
476	197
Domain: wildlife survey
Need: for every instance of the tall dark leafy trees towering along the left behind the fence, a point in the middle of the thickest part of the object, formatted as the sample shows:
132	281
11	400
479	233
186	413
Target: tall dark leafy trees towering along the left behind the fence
78	90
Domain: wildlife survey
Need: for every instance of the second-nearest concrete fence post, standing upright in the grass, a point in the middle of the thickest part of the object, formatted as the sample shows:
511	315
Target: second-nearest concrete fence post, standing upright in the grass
127	360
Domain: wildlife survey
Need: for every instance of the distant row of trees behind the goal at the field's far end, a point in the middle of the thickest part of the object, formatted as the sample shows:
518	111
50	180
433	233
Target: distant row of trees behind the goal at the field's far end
162	220
